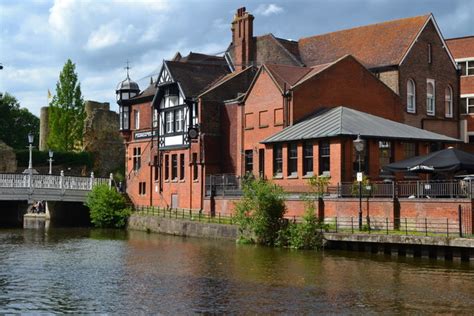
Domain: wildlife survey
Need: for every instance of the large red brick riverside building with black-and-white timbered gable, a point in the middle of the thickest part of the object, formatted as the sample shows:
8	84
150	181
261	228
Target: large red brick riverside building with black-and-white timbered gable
208	115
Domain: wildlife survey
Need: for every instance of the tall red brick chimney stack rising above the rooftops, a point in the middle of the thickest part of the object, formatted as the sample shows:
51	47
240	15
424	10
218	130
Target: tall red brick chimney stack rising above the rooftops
242	39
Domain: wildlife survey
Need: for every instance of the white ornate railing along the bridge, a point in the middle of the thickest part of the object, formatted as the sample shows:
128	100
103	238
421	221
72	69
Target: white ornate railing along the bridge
36	181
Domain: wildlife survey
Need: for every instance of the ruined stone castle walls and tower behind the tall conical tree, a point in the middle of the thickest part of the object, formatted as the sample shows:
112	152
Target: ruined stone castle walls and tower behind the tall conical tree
101	136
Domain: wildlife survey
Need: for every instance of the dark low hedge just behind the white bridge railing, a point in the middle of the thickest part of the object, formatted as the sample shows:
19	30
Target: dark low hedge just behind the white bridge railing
69	159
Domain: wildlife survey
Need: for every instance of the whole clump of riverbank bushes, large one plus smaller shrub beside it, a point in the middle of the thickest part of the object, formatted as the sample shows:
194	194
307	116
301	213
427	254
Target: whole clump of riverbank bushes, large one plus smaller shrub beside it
260	216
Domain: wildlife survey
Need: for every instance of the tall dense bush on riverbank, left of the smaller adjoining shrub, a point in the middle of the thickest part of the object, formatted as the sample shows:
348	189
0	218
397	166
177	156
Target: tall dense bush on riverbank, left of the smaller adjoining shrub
260	212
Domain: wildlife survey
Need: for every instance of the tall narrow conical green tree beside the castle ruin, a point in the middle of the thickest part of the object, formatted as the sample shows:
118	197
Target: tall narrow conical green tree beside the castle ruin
66	112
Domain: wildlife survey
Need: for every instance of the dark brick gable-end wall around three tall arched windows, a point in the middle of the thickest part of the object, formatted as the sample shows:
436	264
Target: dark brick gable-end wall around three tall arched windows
441	69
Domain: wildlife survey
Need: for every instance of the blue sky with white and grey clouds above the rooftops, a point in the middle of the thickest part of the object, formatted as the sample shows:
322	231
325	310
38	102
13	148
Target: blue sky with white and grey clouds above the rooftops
99	36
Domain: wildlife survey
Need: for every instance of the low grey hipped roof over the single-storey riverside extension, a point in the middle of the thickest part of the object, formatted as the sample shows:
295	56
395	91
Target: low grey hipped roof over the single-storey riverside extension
343	121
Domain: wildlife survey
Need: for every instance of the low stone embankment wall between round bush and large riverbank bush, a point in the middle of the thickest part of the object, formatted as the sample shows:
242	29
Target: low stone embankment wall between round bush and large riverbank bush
184	228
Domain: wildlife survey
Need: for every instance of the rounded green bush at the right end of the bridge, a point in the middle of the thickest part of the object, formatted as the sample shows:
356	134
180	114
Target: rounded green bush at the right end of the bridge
108	208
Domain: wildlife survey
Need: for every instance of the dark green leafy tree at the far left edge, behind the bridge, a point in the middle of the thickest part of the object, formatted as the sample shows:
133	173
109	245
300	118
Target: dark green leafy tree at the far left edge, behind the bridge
16	123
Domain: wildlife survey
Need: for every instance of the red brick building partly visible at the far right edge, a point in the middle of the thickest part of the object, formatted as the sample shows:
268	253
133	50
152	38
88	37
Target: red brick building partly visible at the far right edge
462	50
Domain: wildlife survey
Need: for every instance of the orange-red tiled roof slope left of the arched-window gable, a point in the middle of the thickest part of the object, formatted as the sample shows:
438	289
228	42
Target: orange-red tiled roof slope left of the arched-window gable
376	45
